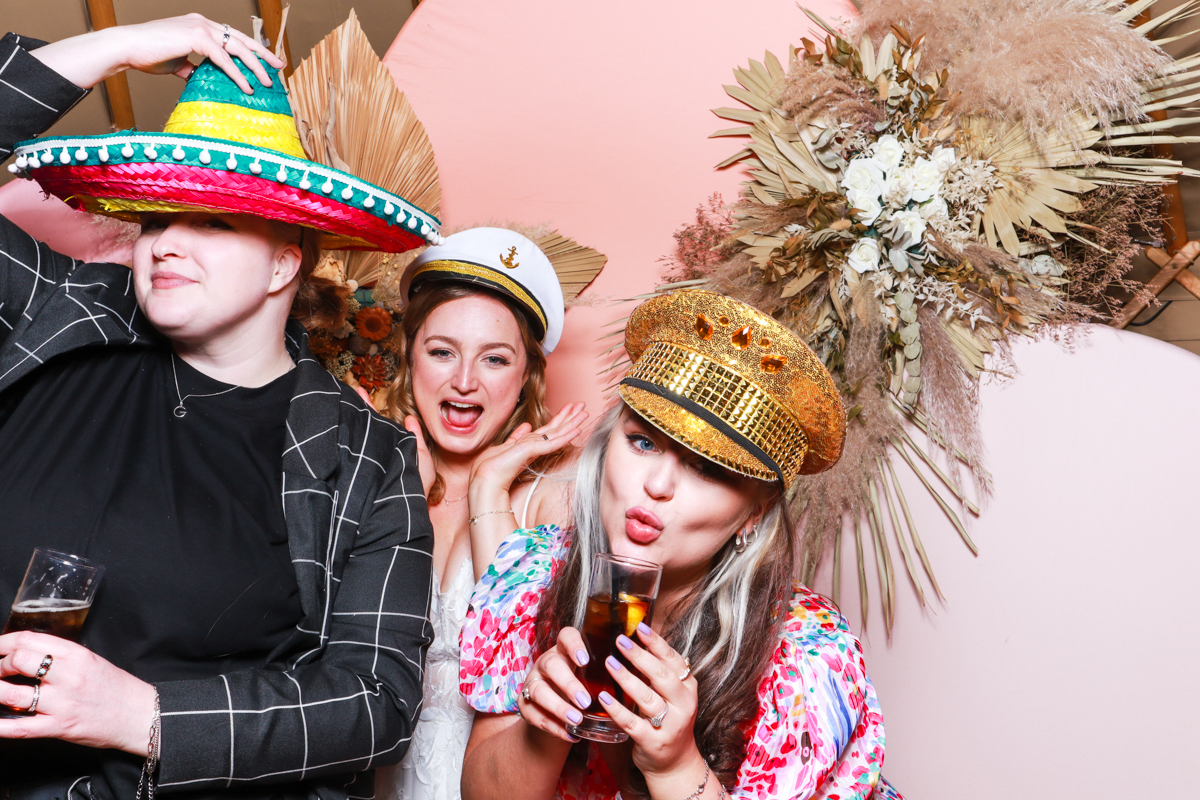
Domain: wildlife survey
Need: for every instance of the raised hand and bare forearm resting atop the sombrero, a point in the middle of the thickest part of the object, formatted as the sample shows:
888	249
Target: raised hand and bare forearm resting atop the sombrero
159	47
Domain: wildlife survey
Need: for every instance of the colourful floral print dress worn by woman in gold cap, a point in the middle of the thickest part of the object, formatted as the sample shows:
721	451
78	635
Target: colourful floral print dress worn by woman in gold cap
819	732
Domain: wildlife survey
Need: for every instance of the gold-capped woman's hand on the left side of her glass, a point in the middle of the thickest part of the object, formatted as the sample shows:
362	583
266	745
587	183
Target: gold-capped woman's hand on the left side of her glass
556	695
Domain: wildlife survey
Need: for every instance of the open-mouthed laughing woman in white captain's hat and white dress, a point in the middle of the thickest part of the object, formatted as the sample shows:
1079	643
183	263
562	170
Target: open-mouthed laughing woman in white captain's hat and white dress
484	310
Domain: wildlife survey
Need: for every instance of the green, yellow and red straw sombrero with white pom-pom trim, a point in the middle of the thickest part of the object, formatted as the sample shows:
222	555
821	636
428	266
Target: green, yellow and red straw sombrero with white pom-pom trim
231	153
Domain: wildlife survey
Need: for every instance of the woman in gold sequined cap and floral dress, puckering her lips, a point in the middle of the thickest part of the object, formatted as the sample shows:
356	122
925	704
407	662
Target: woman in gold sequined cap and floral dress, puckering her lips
746	684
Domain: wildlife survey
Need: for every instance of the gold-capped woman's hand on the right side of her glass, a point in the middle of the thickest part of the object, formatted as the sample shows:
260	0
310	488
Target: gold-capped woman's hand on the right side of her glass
669	696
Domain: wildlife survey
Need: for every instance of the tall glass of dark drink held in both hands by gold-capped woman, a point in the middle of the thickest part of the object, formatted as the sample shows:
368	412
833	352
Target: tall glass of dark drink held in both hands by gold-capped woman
622	594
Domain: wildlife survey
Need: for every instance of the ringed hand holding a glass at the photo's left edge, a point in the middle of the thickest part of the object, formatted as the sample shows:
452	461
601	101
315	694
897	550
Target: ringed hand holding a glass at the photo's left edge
82	699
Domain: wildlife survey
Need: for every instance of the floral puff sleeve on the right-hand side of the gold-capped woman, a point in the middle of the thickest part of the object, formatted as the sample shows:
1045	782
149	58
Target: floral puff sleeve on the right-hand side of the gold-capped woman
820	732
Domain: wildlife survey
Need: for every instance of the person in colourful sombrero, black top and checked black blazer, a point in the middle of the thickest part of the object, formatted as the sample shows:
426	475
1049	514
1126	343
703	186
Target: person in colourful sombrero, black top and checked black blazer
262	624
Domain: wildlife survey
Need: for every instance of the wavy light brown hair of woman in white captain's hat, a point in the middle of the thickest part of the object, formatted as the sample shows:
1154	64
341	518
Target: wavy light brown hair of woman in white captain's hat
532	404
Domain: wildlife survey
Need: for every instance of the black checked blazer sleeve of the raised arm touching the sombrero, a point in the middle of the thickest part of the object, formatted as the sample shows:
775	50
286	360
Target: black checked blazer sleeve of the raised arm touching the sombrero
33	98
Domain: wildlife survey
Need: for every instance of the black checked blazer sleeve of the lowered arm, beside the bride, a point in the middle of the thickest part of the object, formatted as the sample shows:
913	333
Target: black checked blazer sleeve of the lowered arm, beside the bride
355	706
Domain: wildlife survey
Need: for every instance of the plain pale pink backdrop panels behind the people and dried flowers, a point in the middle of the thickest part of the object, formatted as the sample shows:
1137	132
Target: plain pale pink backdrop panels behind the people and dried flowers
1063	663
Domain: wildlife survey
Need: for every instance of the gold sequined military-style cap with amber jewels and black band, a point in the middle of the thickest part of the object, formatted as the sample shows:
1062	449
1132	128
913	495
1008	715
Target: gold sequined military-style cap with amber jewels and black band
733	384
